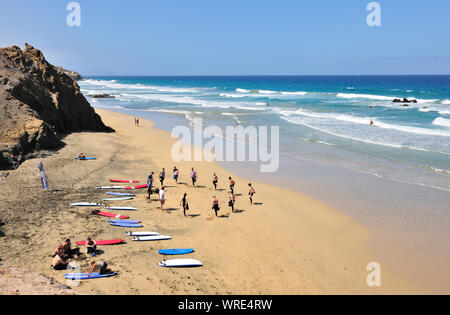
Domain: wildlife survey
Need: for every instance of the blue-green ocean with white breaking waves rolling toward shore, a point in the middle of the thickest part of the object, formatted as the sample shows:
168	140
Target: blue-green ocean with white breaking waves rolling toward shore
321	118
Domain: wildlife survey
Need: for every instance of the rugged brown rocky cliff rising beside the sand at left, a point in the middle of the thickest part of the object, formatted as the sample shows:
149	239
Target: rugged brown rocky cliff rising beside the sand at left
39	104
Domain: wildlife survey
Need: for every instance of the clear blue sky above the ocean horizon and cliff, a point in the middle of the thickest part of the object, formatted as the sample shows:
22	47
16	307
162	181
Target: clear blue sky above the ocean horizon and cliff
234	37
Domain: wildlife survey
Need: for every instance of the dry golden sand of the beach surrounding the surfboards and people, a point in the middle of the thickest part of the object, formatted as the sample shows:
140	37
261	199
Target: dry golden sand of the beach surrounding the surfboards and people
287	243
